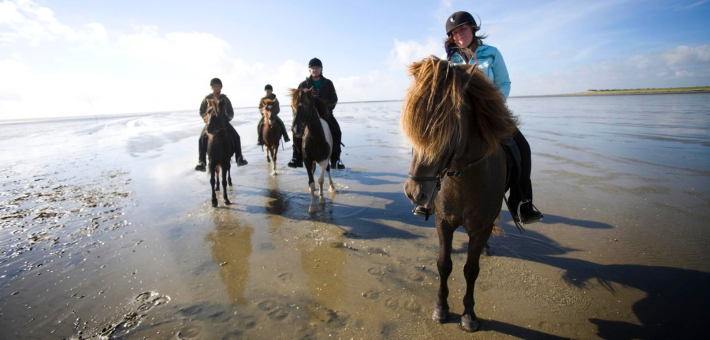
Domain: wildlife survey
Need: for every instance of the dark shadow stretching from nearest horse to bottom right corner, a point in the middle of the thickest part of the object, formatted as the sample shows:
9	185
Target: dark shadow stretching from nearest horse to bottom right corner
677	301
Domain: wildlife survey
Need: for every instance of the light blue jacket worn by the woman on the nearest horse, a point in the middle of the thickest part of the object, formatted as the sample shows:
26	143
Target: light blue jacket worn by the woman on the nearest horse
491	62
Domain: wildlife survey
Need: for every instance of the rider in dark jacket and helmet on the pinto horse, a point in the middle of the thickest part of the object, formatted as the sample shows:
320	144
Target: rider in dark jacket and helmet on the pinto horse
322	88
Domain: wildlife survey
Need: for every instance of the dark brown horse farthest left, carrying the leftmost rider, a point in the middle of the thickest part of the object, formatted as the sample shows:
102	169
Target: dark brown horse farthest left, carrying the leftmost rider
219	147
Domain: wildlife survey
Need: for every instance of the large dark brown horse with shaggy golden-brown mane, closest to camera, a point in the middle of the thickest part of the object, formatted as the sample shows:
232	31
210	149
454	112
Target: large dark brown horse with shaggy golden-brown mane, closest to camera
455	120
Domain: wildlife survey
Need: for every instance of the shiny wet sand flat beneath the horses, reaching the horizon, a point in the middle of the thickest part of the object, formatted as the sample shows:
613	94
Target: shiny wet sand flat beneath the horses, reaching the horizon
107	232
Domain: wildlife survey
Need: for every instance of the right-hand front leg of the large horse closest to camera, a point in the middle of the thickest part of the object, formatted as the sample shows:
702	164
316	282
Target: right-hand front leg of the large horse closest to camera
476	241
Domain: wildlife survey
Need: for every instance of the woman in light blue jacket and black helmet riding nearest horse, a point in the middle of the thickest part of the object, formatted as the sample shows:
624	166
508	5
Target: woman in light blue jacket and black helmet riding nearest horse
461	46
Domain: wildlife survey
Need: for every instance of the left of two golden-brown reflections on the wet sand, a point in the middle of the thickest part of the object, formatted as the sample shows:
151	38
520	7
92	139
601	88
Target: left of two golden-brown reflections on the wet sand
231	247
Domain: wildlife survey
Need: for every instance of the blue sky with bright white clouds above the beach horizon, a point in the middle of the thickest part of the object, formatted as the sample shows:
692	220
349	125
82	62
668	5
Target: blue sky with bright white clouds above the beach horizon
77	58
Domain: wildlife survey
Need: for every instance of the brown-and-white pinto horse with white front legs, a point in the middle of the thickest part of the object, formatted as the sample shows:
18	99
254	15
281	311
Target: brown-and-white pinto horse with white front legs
308	123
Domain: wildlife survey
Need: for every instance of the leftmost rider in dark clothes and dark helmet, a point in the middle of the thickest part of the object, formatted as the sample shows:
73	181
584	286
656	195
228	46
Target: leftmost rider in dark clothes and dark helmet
216	86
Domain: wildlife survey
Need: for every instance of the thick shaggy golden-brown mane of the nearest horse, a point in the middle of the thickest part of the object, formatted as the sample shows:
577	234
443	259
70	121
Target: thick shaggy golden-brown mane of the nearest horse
431	113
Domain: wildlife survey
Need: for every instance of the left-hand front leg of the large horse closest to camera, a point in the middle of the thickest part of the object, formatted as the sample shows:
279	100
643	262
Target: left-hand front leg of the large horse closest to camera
445	266
